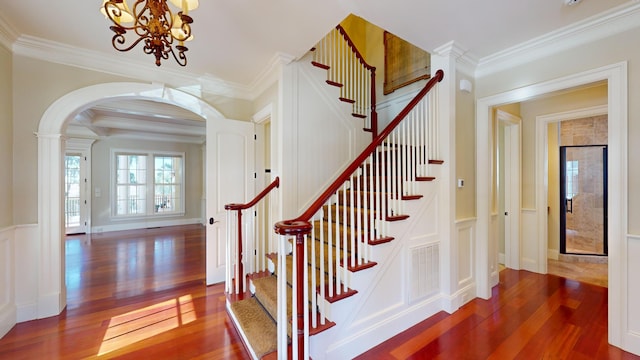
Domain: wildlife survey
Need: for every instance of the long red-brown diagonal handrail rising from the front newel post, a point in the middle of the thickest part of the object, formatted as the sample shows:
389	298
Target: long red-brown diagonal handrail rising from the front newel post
322	199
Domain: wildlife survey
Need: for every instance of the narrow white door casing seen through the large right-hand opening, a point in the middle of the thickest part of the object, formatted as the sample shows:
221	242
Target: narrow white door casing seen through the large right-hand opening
512	186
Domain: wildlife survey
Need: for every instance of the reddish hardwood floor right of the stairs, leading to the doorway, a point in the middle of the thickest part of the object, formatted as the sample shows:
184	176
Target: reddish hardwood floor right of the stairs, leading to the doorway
529	316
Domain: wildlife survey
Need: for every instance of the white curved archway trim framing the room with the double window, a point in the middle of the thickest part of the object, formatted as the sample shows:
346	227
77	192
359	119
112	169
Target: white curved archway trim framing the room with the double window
51	291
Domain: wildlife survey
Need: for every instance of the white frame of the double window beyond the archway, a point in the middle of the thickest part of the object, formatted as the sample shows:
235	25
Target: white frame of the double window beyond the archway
149	184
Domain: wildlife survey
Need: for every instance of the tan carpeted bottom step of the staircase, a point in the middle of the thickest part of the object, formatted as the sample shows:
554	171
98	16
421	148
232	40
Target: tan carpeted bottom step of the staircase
259	328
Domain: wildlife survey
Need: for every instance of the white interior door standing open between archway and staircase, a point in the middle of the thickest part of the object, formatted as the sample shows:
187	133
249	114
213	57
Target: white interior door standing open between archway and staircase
230	178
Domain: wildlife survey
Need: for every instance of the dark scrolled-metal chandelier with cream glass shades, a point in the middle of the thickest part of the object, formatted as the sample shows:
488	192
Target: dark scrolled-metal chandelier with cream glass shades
153	24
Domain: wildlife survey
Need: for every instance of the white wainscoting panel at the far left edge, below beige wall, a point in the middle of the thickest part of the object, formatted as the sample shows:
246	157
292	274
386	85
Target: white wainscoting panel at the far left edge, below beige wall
7	303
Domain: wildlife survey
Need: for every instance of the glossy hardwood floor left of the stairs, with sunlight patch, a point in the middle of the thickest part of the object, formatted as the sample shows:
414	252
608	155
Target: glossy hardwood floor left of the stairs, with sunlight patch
133	295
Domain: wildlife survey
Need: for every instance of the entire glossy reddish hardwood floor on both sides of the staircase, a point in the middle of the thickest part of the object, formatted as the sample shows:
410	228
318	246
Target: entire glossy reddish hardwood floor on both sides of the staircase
141	294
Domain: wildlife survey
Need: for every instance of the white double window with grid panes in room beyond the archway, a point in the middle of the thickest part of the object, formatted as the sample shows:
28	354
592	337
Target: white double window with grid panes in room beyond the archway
137	195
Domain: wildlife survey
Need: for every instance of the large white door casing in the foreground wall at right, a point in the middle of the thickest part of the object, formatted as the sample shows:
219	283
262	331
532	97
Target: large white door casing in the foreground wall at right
616	77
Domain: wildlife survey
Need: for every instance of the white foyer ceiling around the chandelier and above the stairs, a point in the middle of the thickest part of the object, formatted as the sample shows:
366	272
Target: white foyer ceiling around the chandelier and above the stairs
235	41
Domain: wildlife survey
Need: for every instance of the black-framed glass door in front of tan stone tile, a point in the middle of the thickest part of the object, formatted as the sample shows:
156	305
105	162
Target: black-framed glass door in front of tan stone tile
583	200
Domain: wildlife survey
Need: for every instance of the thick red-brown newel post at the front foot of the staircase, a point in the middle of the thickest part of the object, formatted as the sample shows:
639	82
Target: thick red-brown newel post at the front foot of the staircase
298	229
